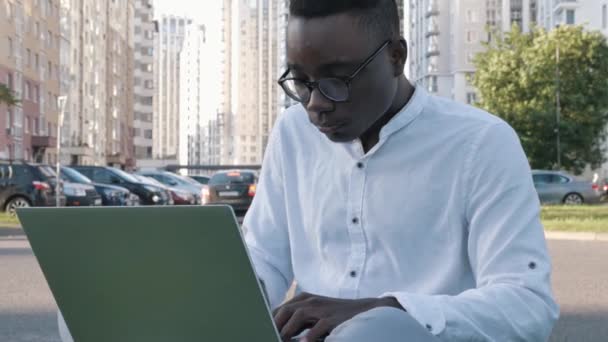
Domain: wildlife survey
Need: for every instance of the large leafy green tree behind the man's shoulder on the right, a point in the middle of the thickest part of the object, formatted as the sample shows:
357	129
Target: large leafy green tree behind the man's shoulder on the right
517	79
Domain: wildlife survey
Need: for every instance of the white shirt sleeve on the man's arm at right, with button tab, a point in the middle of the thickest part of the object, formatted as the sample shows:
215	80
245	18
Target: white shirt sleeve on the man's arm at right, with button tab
507	251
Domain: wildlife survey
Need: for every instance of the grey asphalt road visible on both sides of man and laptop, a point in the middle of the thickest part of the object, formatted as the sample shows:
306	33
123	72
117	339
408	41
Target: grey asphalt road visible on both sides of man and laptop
27	309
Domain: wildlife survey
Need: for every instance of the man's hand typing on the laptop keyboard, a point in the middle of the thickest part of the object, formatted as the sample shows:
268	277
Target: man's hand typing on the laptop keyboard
322	314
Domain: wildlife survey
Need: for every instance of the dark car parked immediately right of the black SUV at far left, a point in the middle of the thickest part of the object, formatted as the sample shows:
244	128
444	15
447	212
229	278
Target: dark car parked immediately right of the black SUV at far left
111	195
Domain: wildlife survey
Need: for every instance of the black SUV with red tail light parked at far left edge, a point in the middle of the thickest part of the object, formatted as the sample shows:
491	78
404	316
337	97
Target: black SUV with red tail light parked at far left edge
25	184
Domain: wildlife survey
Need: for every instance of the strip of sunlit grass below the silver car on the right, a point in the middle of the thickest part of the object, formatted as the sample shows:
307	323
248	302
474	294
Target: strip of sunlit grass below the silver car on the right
575	218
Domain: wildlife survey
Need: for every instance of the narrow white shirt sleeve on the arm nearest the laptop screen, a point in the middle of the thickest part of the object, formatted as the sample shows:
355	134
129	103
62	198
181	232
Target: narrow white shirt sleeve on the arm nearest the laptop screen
265	226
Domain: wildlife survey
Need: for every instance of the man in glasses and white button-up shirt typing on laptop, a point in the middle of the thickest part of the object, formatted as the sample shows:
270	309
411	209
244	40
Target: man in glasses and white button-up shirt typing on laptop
399	215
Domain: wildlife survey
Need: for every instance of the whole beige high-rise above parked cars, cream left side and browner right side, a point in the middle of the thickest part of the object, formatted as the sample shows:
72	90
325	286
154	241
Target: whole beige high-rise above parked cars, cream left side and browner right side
97	78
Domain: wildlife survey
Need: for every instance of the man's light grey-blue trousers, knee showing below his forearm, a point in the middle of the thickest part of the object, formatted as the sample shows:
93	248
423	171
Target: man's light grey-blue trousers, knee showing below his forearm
382	324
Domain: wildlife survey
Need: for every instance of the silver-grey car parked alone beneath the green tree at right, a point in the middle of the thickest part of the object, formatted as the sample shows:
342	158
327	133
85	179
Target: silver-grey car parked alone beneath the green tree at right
556	187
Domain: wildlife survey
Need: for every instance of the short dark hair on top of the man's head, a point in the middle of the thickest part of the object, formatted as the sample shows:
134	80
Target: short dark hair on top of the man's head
381	16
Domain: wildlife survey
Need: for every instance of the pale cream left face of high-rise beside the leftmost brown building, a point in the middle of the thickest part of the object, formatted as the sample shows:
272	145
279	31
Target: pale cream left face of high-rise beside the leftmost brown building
84	49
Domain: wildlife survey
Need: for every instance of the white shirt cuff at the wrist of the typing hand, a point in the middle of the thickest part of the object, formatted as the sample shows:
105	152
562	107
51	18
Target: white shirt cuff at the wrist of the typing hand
425	309
